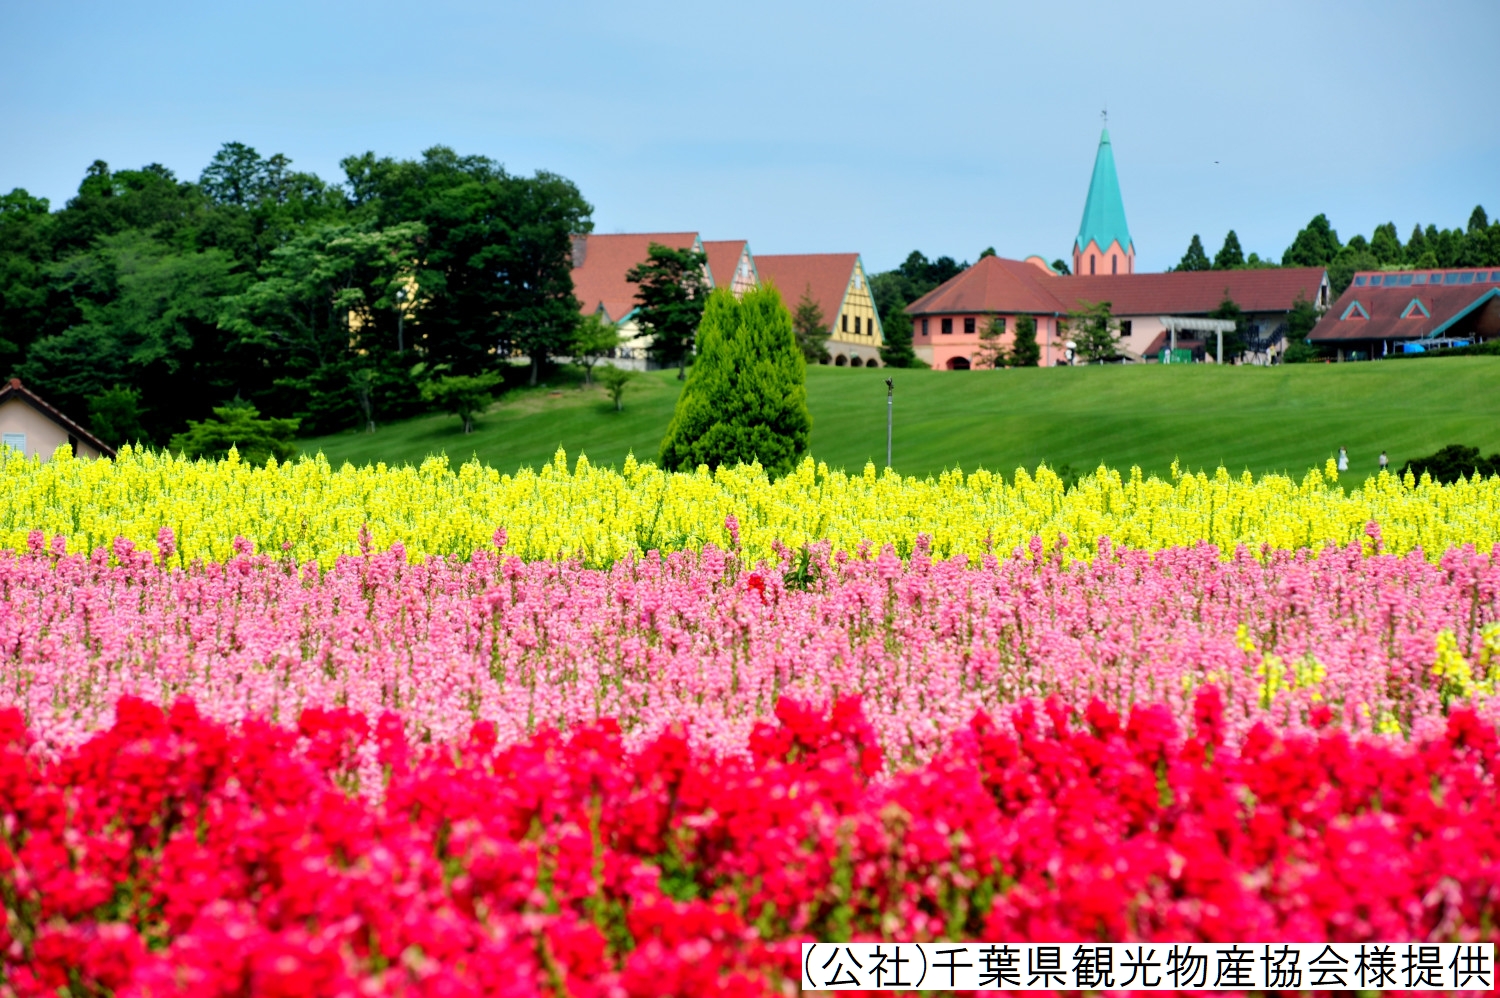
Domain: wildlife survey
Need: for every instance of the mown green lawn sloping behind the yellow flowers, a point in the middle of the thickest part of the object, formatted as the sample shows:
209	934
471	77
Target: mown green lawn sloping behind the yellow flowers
1264	419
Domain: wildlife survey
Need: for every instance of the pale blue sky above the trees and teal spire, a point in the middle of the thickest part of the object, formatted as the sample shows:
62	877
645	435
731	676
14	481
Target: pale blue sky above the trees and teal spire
806	127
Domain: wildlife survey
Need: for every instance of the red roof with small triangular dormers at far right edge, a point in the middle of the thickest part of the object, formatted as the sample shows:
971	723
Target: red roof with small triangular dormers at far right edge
1441	304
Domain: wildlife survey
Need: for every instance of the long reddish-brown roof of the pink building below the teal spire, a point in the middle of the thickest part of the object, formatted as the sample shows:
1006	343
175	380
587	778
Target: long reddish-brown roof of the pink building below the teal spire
1018	287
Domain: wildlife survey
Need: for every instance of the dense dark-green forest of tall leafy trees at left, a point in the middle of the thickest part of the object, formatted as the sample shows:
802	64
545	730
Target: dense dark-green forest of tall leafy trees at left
149	301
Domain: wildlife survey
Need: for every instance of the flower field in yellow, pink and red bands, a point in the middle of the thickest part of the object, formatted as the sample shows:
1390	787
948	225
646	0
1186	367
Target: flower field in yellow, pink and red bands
301	732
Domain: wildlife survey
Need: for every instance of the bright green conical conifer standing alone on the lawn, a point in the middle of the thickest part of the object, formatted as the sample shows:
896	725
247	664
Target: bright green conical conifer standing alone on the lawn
746	400
